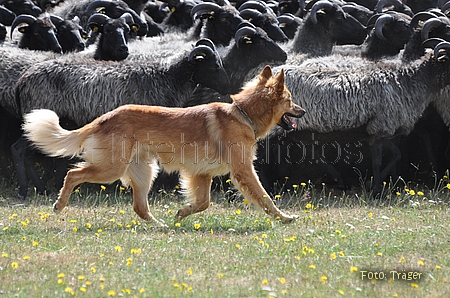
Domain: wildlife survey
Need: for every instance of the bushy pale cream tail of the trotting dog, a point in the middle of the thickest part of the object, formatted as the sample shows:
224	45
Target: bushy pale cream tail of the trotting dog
42	128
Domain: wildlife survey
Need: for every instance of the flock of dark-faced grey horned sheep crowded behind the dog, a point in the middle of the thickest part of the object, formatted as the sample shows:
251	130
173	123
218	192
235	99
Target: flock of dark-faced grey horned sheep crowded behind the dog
370	74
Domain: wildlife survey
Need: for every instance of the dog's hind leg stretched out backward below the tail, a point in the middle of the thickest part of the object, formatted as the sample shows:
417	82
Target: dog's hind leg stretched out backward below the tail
86	173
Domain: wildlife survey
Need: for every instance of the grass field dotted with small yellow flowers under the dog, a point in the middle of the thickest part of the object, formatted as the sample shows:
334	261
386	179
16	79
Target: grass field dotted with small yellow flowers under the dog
342	245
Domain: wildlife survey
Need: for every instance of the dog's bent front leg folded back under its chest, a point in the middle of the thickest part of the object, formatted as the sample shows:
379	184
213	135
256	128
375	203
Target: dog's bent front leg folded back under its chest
198	190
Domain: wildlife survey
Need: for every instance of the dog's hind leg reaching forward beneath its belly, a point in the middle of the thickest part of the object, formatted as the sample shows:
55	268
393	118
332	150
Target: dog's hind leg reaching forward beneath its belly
140	176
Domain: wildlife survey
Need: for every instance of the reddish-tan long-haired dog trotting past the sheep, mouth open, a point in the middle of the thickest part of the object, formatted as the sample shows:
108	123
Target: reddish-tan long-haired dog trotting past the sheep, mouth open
131	142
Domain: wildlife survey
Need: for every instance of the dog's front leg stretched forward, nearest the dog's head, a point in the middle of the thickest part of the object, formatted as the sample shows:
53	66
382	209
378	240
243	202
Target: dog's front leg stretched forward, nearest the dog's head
246	180
